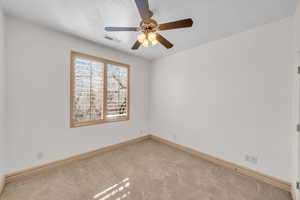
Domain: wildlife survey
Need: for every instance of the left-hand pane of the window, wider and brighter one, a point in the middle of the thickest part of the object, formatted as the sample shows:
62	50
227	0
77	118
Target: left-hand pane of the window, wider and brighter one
88	90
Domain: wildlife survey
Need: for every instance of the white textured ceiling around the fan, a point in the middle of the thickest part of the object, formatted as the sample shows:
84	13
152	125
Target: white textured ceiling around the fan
213	19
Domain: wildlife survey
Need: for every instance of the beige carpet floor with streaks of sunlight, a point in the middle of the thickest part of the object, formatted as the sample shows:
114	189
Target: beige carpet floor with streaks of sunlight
143	171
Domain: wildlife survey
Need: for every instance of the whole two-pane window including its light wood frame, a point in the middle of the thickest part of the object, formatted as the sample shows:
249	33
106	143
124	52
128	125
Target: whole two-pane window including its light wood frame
99	90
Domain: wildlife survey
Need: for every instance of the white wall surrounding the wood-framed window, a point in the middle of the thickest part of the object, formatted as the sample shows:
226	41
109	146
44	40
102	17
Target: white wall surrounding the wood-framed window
38	97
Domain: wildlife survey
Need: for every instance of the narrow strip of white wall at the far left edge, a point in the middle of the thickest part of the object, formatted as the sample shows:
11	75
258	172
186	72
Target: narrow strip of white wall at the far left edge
3	91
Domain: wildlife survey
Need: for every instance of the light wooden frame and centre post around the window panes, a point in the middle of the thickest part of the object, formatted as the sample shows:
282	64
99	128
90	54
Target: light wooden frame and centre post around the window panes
73	123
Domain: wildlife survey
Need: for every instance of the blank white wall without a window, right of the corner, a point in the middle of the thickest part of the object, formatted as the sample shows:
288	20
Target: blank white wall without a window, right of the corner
230	98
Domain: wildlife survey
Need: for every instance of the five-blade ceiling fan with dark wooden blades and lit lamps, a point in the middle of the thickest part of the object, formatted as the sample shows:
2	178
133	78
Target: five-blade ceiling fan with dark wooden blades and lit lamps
149	27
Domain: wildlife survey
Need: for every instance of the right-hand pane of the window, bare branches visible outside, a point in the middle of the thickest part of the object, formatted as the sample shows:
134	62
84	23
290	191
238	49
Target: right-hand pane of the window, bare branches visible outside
117	92
